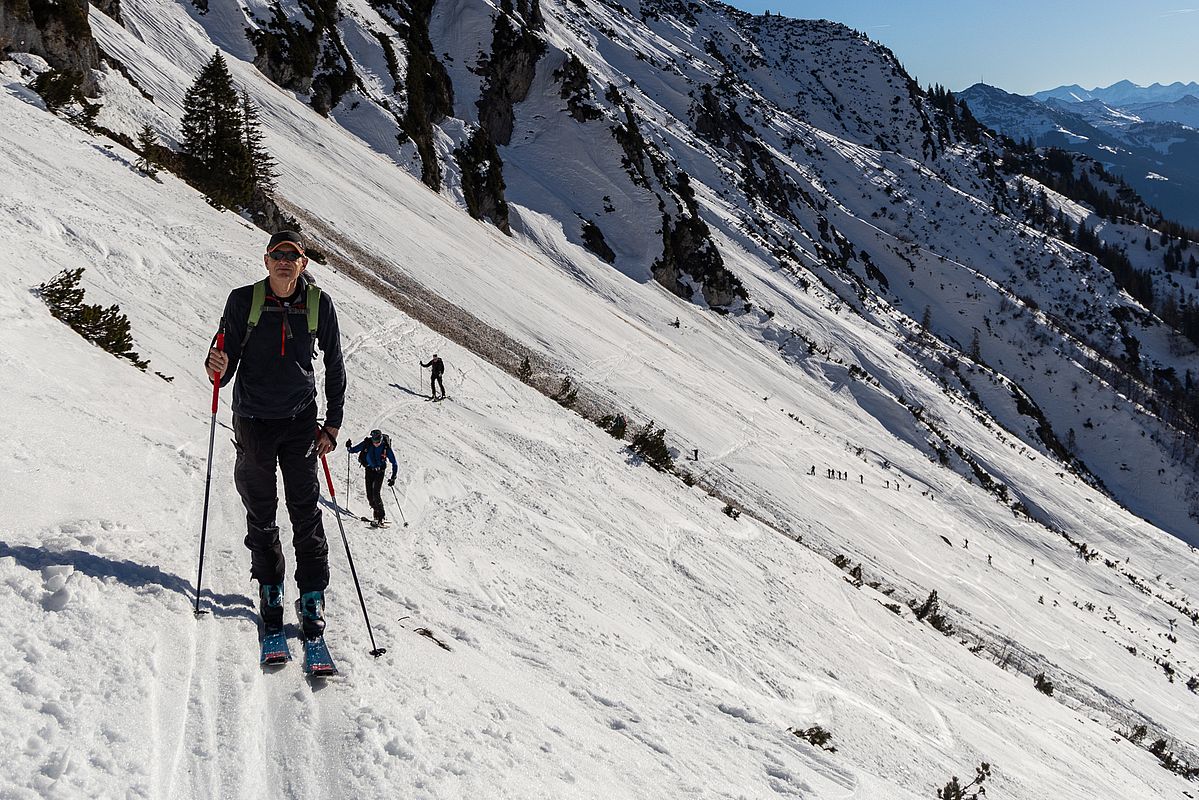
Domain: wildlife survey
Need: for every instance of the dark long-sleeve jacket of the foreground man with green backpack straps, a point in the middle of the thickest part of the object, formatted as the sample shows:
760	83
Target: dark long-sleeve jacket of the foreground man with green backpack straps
275	369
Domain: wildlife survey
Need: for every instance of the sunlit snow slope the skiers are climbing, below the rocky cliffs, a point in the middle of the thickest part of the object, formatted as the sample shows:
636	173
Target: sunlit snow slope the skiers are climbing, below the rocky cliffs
611	633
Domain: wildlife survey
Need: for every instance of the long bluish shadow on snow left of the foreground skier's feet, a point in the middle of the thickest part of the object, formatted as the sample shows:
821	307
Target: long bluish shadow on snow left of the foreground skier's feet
131	574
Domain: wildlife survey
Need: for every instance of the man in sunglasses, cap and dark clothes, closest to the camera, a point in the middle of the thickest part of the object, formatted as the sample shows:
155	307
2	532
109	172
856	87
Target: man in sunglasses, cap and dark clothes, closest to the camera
273	332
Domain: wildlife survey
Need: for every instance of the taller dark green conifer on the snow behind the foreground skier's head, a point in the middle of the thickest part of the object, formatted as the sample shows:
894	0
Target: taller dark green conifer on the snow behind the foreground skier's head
216	159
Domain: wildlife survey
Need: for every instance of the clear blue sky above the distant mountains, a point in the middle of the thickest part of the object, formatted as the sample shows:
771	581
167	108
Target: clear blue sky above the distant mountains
1022	46
